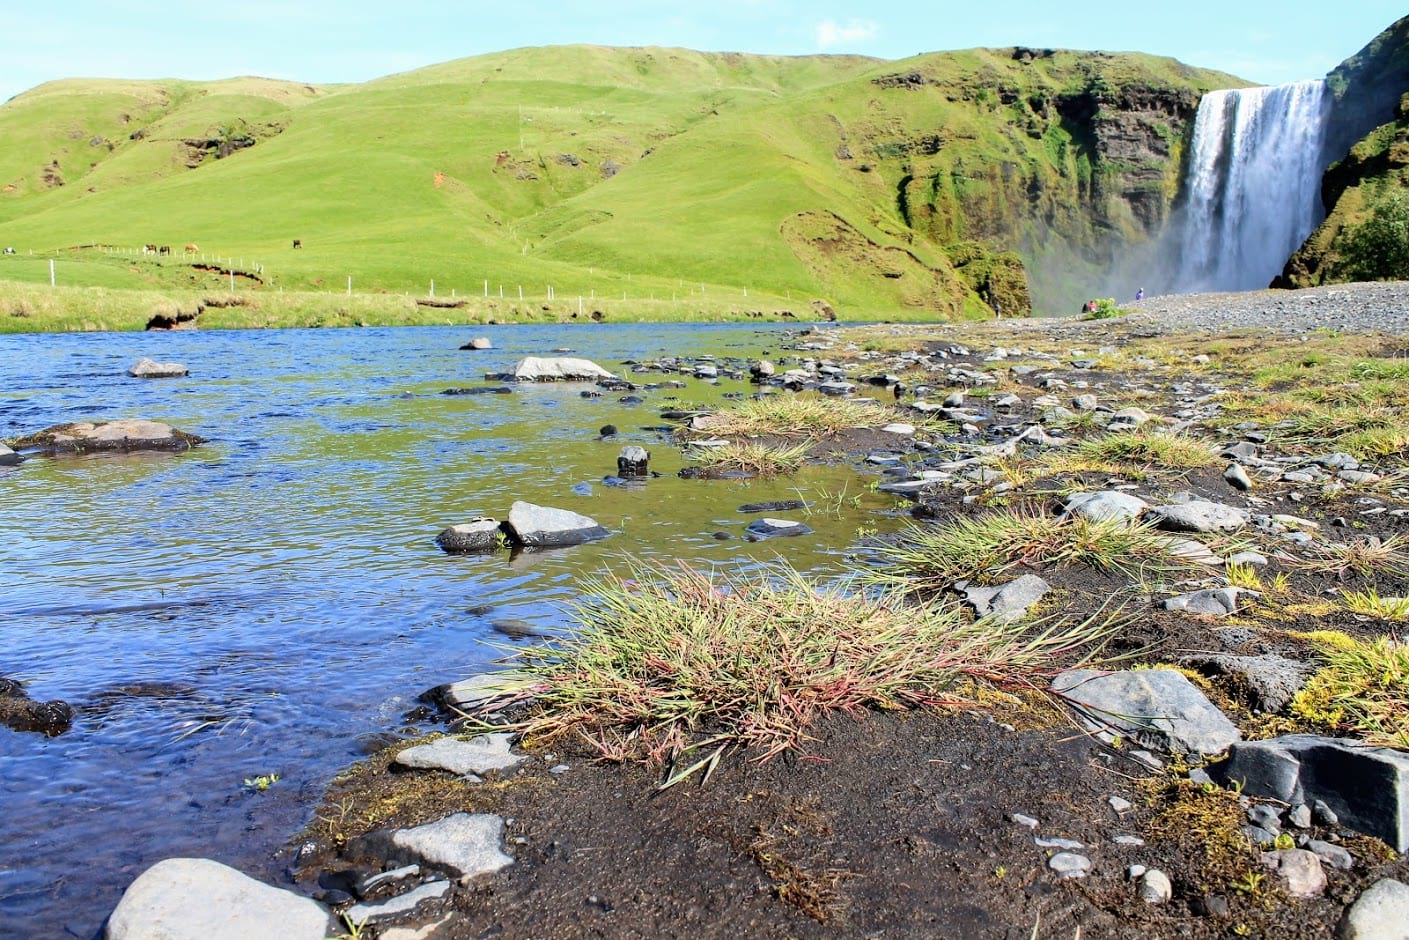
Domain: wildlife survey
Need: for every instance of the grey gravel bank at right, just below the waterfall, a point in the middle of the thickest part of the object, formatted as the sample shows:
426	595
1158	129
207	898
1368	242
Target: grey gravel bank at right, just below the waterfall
1356	308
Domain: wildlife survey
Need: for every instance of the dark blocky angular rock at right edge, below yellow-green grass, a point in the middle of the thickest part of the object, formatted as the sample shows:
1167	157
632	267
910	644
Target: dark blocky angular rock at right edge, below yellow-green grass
1366	787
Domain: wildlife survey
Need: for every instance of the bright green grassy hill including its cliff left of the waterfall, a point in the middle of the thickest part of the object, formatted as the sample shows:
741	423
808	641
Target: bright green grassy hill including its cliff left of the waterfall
891	190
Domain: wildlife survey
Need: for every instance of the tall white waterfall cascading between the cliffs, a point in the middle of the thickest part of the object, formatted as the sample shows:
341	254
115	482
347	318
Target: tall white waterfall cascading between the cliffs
1253	187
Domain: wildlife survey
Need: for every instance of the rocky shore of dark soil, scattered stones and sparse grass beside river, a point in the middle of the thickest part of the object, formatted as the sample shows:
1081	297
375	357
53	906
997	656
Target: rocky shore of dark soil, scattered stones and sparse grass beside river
1003	817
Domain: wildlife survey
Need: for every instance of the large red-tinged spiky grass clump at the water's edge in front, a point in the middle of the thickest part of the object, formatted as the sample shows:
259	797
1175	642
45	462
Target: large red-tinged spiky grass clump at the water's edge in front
673	655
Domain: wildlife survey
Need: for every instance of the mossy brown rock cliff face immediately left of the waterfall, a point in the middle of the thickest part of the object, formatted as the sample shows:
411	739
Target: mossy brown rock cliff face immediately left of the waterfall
1077	159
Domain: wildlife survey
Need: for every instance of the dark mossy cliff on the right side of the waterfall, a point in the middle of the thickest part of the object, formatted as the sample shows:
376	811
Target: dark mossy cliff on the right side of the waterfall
1367	136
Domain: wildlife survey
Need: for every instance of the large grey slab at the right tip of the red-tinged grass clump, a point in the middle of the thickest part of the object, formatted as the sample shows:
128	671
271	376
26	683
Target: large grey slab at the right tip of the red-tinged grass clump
1159	708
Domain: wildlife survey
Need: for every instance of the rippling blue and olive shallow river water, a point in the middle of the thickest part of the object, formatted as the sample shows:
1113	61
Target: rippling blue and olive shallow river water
273	602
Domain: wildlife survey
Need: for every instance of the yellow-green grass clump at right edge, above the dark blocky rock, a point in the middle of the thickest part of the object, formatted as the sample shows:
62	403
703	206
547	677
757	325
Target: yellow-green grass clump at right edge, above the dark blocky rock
1363	690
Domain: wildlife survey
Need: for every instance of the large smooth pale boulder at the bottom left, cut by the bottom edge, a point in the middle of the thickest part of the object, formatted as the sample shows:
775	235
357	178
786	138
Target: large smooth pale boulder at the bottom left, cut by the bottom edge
184	898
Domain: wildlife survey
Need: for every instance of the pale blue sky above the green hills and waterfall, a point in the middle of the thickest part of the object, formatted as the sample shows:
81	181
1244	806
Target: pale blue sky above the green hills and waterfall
357	40
